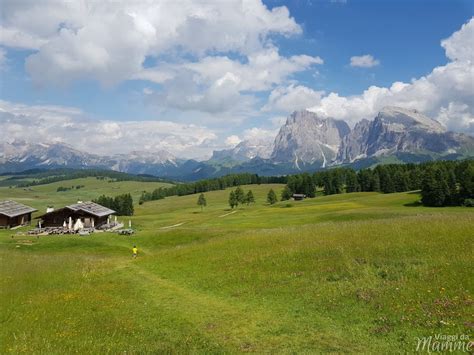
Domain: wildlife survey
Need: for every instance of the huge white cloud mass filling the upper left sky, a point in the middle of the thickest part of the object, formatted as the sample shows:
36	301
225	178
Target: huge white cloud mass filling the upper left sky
209	56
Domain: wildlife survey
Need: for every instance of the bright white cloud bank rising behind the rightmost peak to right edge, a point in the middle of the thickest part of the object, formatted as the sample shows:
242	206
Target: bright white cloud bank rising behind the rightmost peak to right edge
447	93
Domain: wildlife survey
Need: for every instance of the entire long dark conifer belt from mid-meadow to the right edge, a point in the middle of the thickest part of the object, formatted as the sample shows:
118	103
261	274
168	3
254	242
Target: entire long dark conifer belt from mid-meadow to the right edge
442	183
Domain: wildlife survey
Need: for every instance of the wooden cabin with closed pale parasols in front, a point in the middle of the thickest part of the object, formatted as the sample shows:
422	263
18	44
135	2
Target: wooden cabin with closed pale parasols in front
91	215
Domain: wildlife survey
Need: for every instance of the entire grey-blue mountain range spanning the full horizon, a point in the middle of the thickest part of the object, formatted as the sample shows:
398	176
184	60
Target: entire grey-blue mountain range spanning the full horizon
305	142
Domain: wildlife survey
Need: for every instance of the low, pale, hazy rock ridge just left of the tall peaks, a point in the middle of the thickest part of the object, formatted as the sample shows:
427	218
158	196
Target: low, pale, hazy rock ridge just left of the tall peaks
246	150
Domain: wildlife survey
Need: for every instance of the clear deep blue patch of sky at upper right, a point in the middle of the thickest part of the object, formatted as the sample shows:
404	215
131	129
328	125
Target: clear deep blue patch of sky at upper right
404	35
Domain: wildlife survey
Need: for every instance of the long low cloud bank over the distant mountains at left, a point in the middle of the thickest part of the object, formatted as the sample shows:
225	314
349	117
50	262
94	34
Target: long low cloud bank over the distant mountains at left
70	125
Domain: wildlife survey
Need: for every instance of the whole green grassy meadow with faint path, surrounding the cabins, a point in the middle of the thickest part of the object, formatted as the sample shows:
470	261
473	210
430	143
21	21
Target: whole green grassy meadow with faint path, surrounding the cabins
361	272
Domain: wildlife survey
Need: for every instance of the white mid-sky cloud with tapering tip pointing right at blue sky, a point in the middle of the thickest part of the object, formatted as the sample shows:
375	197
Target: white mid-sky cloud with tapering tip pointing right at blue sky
218	83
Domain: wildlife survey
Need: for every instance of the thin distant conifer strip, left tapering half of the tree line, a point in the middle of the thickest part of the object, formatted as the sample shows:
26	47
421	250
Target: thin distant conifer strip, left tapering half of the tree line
207	185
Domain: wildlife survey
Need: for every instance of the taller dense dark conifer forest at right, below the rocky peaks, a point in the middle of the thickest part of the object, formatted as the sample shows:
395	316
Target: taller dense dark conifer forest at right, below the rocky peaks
442	183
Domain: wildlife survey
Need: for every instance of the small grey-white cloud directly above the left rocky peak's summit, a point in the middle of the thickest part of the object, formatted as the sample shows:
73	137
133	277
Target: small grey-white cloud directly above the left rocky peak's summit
291	98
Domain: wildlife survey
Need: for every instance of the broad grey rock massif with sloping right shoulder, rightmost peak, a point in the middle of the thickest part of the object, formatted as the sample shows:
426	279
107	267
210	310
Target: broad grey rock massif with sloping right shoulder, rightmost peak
397	130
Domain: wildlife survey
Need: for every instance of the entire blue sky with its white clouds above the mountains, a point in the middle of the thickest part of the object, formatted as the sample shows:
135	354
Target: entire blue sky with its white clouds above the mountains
212	74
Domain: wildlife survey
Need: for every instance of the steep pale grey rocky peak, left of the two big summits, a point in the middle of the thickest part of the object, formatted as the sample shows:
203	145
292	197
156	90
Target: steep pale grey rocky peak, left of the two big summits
307	139
